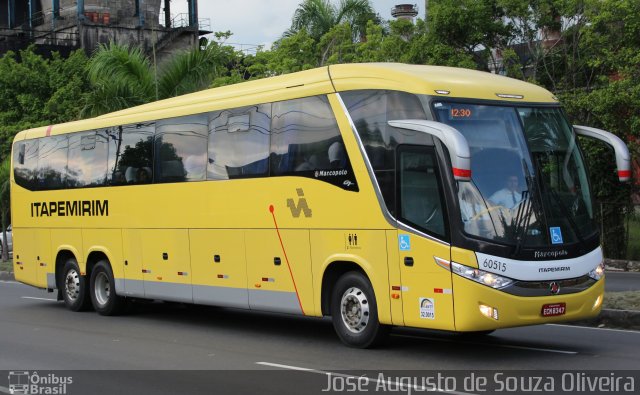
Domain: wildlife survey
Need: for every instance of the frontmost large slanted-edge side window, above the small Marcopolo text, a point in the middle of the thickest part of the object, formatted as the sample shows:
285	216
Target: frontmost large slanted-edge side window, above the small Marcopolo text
305	137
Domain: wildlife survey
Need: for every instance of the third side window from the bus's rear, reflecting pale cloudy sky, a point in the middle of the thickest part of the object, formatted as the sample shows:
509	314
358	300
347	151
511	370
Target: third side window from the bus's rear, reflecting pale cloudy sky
87	159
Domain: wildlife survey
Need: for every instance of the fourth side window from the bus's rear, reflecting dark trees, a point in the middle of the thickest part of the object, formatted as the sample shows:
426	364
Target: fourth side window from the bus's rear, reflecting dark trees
130	154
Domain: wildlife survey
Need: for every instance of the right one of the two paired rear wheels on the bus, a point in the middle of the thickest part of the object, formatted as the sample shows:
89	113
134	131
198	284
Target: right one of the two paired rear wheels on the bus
103	291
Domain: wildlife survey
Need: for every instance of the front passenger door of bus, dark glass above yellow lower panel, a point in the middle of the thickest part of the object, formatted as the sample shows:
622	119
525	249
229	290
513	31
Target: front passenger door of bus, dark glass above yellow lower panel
427	297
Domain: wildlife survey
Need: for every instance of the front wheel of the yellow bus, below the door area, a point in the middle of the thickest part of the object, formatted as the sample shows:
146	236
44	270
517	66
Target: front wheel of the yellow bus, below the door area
354	312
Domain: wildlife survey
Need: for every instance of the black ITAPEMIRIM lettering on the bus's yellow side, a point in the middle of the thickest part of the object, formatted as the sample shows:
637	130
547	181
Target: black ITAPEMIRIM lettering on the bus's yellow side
71	208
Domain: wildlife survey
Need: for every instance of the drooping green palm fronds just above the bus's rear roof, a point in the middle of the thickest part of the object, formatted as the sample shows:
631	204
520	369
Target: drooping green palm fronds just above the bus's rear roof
123	76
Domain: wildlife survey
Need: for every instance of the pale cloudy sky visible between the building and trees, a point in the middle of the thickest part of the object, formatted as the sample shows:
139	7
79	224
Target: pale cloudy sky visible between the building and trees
261	22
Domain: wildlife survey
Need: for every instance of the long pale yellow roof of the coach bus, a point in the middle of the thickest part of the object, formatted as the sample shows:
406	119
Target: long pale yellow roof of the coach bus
419	79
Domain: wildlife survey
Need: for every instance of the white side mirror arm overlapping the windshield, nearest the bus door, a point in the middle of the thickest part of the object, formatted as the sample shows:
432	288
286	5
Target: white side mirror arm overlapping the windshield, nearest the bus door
455	142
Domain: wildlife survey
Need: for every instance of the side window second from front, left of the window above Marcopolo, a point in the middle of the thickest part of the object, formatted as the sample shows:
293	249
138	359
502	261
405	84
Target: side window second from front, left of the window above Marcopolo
239	142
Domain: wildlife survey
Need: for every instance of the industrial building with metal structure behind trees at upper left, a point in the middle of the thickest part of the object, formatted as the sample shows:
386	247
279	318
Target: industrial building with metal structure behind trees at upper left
66	25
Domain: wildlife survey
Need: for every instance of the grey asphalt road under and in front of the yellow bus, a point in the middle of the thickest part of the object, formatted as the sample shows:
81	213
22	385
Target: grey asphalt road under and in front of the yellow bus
237	351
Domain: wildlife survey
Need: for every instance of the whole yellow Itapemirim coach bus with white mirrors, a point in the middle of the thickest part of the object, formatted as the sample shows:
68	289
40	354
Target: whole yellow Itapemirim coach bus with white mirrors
378	194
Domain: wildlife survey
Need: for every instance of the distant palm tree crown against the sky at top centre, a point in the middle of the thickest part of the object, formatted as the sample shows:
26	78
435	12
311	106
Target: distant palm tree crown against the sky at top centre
317	17
